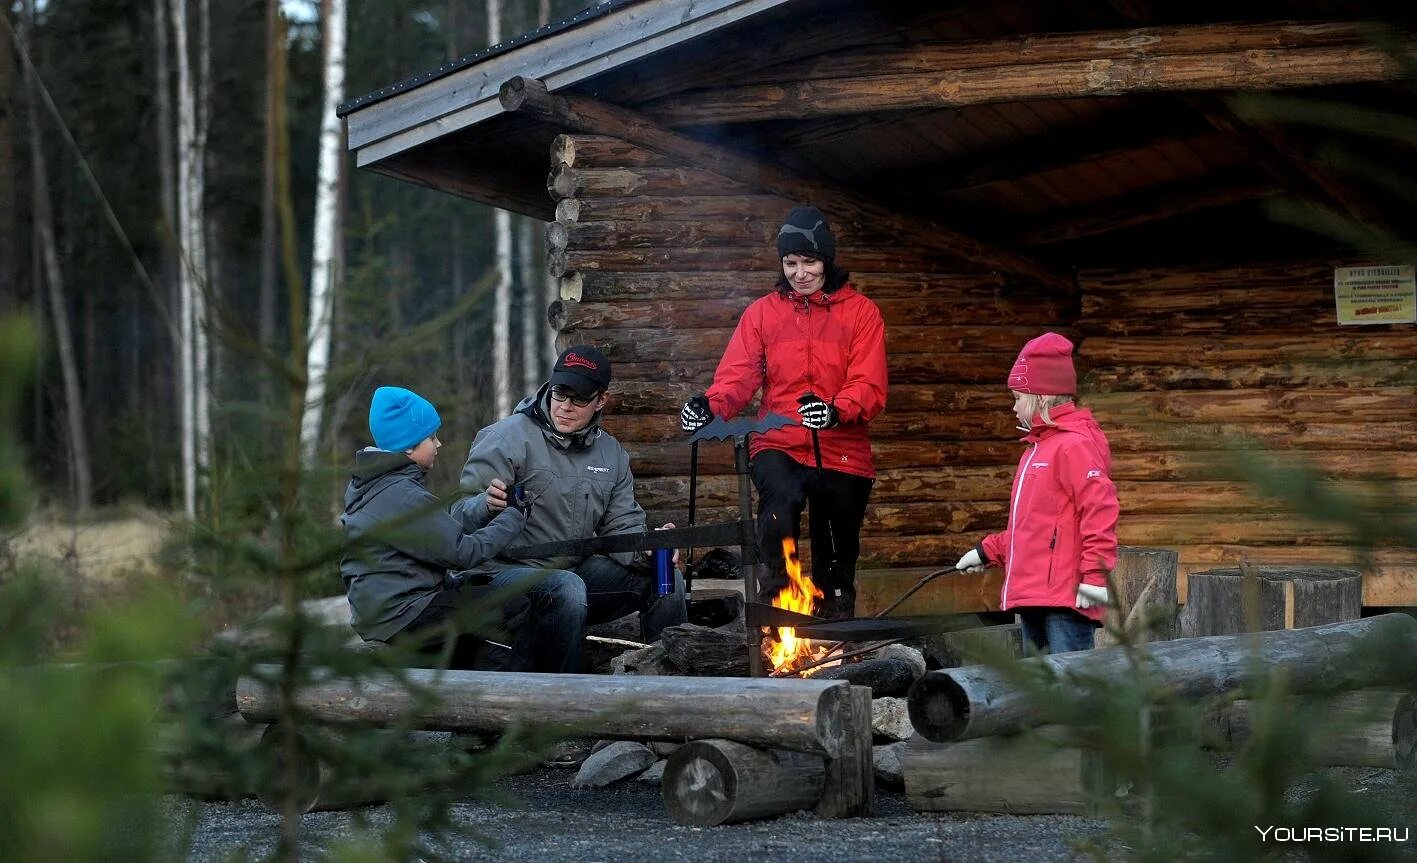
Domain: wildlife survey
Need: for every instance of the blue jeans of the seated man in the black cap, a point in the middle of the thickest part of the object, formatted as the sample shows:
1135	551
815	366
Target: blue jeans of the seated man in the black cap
600	590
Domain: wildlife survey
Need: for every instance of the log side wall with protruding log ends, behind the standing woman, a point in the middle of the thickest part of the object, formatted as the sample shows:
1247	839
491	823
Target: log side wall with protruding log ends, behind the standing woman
658	261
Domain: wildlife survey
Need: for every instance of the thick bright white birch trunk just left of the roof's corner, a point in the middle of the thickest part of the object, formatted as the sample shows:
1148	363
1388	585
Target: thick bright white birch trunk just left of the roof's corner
327	235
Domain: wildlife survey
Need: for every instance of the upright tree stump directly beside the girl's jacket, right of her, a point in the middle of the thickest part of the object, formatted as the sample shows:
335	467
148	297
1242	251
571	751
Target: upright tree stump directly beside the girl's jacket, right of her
1146	602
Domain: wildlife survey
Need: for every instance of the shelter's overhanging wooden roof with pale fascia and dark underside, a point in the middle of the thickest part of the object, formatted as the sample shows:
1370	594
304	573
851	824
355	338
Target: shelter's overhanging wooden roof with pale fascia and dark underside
1061	132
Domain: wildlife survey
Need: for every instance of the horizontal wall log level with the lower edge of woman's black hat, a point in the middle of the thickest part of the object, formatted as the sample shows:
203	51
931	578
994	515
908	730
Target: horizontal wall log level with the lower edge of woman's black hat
738	259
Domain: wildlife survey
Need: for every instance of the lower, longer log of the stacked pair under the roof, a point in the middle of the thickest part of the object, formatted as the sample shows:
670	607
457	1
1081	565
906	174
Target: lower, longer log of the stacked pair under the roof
1027	81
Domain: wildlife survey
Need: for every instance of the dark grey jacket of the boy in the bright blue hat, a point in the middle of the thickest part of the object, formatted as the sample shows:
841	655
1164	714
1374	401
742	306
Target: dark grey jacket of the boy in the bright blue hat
413	543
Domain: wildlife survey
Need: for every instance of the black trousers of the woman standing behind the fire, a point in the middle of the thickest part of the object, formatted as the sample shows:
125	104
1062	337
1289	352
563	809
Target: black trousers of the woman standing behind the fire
837	507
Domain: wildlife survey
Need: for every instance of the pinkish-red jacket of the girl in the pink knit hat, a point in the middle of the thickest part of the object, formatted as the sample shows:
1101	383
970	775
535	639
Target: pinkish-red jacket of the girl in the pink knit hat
1062	515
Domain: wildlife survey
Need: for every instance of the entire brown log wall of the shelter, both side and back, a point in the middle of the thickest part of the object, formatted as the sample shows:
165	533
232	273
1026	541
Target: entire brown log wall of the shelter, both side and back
657	263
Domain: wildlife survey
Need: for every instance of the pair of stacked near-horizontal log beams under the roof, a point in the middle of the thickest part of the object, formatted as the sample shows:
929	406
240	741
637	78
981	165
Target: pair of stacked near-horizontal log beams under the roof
1105	64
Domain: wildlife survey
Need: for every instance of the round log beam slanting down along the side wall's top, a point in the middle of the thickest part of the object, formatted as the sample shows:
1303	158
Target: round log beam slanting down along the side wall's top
585	114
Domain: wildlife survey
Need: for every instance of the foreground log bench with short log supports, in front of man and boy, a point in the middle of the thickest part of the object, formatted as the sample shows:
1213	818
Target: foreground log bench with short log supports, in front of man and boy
827	721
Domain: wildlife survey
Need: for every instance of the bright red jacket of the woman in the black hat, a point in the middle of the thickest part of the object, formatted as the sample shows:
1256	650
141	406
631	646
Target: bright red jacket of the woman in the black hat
827	344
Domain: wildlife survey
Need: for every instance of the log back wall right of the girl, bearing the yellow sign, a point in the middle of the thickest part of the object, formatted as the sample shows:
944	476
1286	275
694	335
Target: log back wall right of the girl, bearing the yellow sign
1184	366
